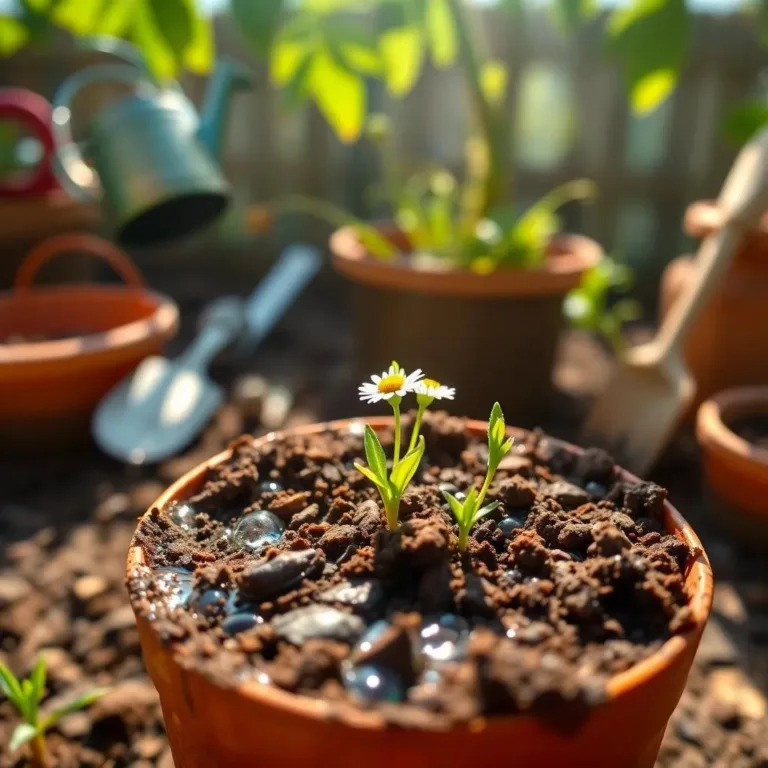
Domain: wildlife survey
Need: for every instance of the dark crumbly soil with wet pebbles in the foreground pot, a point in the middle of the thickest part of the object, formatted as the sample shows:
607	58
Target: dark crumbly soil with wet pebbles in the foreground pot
280	569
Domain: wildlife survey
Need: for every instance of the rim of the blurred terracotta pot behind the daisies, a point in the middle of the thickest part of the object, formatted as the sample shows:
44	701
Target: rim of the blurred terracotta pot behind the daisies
570	257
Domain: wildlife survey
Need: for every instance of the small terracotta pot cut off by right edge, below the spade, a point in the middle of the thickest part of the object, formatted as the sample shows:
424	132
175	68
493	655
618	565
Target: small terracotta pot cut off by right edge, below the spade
736	470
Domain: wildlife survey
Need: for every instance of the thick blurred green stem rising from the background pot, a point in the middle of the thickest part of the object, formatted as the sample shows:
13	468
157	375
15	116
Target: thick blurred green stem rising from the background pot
488	117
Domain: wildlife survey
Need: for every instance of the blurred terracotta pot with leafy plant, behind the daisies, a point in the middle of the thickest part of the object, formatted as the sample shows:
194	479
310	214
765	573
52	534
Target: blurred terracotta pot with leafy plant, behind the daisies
491	336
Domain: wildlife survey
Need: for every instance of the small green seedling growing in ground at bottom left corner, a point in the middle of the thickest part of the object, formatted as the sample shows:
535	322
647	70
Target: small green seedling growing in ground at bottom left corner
26	695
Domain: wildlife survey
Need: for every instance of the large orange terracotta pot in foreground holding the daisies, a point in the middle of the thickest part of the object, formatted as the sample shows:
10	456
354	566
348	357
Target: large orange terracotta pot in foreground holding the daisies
260	726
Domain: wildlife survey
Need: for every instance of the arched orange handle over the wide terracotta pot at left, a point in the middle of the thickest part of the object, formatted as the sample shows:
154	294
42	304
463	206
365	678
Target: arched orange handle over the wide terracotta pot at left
77	243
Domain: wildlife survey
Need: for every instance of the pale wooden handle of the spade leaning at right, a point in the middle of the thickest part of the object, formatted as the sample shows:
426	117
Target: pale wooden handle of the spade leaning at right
744	198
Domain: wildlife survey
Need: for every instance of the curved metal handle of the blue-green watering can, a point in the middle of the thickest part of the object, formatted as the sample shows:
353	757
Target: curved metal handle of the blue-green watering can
70	160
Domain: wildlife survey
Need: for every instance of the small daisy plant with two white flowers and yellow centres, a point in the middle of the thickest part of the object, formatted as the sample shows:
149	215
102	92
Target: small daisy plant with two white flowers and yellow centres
392	386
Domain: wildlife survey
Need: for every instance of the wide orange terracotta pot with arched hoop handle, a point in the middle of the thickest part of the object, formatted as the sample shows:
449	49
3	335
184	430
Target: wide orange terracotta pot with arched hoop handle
48	389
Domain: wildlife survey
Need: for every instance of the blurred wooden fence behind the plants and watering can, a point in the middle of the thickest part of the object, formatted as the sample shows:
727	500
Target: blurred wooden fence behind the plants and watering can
568	117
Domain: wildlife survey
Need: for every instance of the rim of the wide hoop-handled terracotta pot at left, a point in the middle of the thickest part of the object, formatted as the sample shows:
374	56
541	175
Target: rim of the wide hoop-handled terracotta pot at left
162	323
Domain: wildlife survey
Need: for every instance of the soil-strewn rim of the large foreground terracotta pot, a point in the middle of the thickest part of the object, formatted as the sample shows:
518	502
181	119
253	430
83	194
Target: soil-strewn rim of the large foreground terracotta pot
700	601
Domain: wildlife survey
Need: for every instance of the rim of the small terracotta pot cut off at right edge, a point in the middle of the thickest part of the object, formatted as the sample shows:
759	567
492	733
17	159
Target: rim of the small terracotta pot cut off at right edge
713	433
